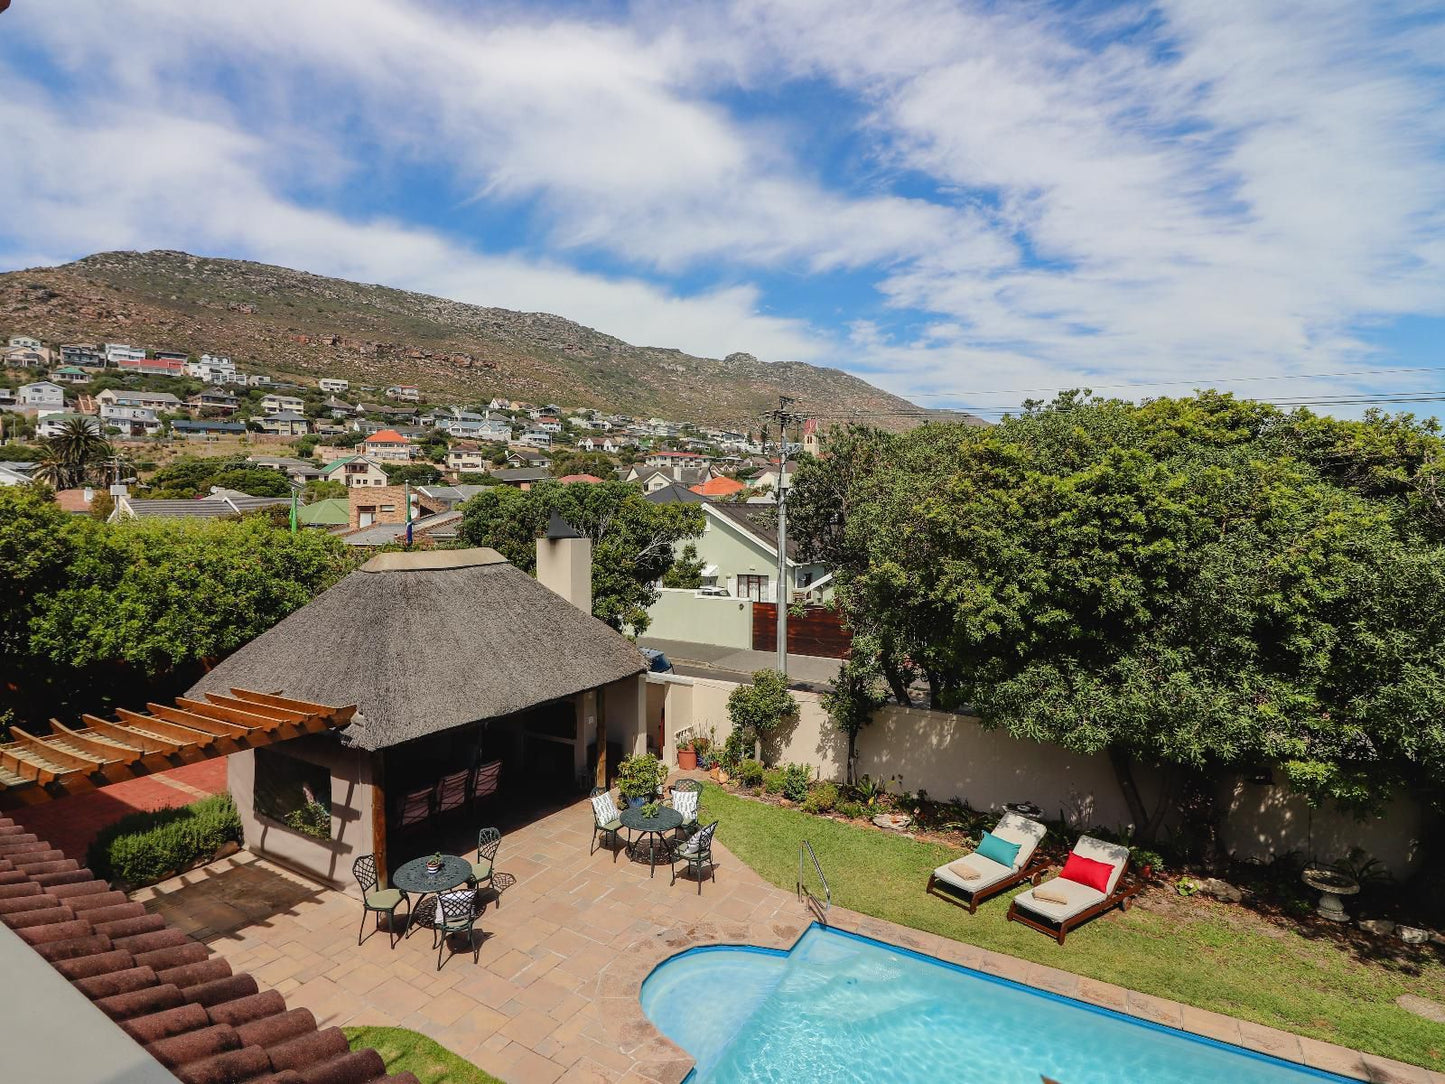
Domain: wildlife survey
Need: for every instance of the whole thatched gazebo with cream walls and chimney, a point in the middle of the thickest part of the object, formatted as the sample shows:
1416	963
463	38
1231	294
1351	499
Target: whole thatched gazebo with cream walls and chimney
463	668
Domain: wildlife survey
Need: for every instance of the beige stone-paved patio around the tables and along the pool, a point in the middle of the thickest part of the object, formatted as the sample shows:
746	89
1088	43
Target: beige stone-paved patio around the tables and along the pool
567	947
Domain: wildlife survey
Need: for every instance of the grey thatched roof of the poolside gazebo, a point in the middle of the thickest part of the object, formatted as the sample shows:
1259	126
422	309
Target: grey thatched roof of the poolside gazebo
427	641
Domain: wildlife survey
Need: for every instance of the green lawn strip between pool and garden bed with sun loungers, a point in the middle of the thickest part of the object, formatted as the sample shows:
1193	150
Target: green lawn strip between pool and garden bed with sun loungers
1222	959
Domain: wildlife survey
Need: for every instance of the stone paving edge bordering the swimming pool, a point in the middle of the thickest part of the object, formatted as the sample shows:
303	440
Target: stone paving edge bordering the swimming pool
1202	1024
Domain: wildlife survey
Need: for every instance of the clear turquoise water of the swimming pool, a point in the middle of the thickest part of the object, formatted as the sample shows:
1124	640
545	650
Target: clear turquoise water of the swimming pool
846	1008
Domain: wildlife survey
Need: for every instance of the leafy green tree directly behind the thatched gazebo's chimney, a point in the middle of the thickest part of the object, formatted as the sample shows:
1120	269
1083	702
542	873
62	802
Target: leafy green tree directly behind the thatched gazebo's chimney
632	538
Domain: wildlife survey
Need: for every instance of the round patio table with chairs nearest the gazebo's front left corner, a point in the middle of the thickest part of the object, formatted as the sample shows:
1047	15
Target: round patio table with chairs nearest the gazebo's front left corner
447	891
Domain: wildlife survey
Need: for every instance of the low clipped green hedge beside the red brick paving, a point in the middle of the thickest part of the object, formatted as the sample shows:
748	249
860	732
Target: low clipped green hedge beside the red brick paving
147	848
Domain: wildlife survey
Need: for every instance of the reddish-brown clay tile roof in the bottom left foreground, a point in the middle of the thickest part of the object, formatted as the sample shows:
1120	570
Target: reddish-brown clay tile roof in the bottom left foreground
163	988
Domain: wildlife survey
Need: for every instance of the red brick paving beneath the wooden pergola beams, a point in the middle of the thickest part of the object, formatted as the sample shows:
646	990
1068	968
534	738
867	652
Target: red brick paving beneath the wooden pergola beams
70	826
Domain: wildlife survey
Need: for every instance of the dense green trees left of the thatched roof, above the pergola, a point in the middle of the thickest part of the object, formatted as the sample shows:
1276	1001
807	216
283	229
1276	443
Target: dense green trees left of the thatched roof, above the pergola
93	614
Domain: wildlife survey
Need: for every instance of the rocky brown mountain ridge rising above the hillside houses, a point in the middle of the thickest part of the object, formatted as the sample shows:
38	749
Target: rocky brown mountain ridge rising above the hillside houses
288	323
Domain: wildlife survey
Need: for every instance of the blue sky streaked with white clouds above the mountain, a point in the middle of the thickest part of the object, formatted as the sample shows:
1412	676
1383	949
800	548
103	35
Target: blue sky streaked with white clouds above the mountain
957	202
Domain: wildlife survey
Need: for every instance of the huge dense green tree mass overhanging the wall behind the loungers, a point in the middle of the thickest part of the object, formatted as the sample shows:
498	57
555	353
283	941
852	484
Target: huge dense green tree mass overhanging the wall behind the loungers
1206	583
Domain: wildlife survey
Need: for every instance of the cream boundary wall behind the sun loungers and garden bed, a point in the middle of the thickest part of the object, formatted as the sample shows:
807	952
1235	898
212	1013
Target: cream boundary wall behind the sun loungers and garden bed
953	757
